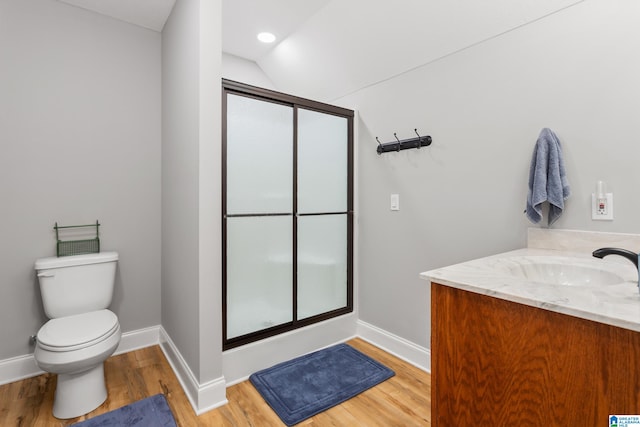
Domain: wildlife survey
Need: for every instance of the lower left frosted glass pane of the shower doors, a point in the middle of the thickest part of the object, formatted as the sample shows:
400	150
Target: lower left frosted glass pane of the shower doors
259	273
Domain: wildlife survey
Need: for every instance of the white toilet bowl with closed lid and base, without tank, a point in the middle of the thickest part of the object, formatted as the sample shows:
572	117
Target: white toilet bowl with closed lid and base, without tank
75	347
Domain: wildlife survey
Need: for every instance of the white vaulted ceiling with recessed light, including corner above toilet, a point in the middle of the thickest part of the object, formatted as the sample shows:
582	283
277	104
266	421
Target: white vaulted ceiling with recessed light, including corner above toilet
329	48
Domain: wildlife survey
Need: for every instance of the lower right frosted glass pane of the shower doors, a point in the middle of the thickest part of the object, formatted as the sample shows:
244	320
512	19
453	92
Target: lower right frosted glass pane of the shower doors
322	264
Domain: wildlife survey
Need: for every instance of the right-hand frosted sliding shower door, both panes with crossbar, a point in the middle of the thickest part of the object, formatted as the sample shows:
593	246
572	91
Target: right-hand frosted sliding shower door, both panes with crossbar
322	212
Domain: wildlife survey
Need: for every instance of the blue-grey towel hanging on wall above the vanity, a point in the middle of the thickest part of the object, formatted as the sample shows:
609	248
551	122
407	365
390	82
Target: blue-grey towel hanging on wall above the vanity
547	178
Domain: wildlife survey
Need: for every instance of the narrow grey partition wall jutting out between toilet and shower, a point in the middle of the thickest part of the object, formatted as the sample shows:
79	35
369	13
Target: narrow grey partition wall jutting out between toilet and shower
191	194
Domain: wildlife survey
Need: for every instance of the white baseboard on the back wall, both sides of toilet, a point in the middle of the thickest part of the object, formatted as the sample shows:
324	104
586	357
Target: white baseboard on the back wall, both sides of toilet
21	367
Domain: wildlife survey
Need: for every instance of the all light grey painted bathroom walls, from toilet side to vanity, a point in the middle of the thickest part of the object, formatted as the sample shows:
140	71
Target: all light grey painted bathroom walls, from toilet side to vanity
80	137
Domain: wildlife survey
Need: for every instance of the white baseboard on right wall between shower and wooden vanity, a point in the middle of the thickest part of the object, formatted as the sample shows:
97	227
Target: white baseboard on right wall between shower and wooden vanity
414	354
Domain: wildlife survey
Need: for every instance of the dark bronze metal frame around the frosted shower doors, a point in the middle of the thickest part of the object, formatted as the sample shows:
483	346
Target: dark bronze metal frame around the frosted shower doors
242	89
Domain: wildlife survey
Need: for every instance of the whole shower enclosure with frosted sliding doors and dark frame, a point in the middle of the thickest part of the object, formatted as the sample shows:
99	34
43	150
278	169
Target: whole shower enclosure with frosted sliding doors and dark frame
287	212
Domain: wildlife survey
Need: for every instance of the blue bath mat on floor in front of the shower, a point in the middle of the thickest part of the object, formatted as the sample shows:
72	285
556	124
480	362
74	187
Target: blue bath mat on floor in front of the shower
310	384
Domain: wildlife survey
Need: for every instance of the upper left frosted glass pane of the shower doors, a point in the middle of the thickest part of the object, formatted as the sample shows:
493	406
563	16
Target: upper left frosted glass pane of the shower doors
259	156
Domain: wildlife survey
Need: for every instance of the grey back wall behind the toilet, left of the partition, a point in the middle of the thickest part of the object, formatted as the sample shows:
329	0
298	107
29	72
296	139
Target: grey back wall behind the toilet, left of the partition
80	141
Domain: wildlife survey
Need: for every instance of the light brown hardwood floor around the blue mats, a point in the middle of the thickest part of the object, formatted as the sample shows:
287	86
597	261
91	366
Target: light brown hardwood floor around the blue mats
403	400
